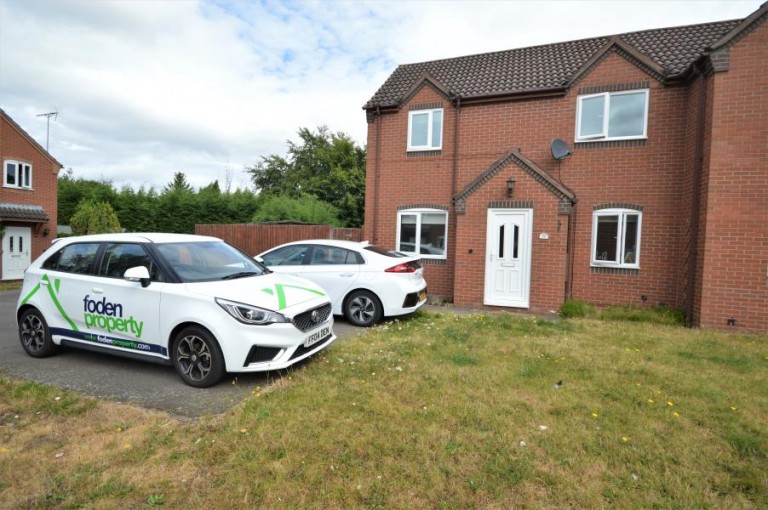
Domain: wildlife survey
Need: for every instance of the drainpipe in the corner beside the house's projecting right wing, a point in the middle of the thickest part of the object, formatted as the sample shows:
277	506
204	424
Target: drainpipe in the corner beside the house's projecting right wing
698	165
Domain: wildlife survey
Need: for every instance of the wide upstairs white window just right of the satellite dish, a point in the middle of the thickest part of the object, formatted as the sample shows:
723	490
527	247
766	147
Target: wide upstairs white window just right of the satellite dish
612	116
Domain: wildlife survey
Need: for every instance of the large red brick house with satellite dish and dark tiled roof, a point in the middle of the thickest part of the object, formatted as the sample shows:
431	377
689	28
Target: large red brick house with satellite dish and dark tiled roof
629	169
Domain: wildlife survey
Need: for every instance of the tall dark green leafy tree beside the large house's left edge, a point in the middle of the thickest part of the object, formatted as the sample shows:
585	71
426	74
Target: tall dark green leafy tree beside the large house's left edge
328	166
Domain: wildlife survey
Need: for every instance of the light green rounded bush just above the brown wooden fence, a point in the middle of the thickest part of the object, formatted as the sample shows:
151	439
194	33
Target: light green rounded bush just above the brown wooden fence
306	209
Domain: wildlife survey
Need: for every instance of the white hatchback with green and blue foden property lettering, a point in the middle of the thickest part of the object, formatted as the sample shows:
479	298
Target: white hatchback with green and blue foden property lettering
191	301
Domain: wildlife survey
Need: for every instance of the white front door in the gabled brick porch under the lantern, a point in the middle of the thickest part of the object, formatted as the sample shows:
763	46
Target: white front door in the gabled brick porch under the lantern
508	257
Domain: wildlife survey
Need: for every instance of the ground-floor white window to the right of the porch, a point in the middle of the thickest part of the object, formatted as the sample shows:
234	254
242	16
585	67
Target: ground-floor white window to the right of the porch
616	238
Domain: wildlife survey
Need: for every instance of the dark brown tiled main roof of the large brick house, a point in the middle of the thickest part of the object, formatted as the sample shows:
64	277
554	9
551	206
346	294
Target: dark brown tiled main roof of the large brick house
670	50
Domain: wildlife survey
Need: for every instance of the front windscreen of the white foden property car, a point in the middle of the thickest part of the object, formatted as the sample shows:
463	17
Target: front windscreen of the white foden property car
206	261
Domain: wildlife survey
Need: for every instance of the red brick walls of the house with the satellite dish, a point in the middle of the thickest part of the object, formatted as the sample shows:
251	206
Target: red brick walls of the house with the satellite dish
656	175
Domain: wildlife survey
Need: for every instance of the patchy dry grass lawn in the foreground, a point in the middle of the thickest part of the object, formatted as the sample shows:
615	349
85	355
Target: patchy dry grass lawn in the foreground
437	411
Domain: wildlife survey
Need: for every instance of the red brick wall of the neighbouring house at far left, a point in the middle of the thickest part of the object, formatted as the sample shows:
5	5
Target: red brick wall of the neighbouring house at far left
44	192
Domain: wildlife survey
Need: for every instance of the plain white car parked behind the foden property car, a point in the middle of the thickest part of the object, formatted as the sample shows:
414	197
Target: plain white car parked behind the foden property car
365	282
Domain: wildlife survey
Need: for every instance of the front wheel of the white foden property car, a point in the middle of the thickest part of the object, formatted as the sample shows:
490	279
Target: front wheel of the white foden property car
197	357
